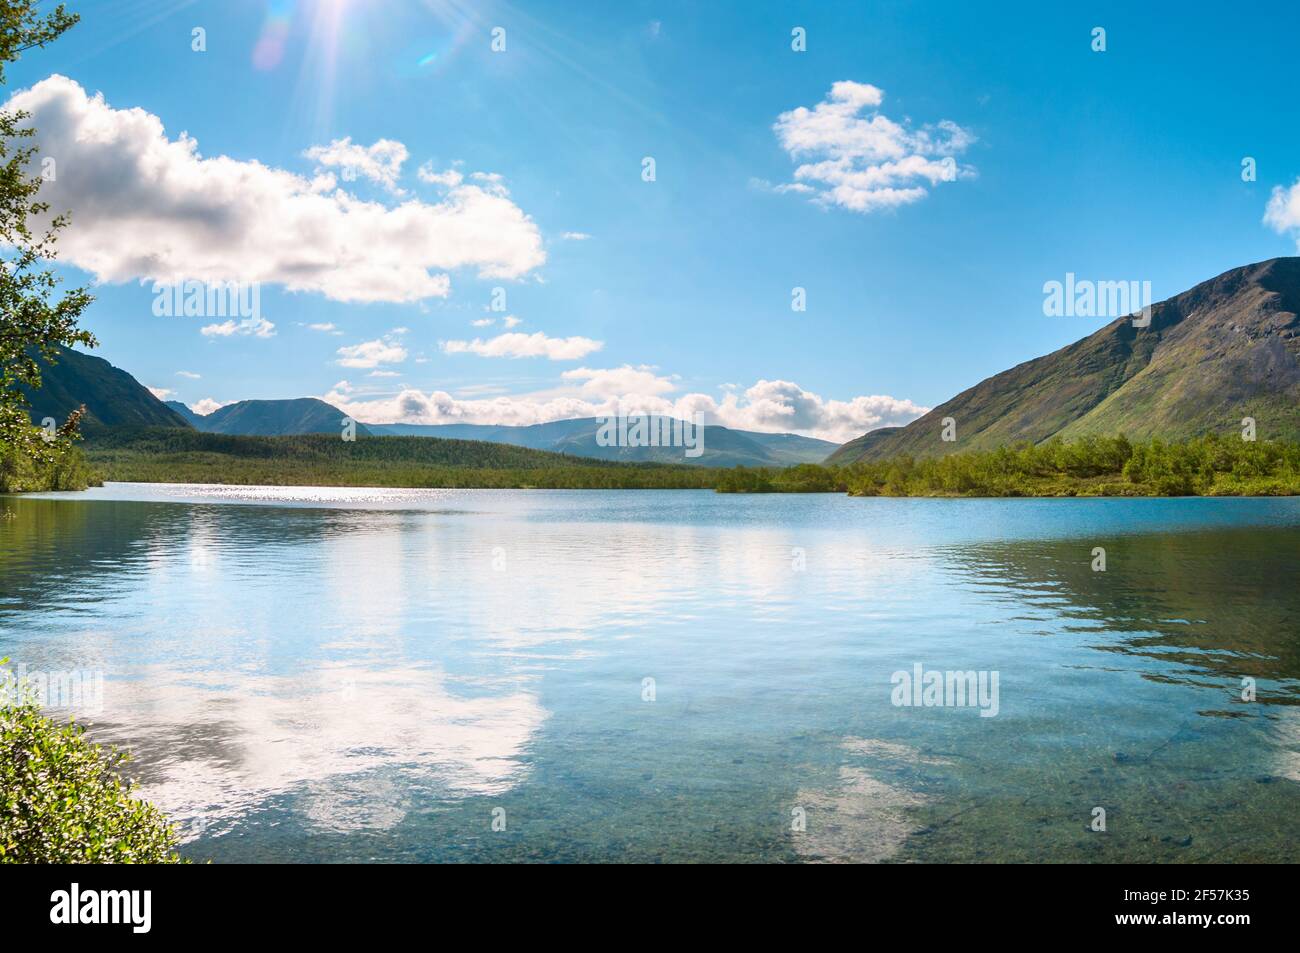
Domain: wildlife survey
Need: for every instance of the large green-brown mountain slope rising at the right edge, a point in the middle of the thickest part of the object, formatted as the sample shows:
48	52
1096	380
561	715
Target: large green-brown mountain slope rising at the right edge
1221	352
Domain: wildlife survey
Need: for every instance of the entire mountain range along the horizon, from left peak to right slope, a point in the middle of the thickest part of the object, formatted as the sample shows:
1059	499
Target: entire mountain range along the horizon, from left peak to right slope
1221	352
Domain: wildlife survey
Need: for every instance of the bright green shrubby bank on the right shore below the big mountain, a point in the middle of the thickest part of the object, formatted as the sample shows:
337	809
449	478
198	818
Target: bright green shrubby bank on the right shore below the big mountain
1090	467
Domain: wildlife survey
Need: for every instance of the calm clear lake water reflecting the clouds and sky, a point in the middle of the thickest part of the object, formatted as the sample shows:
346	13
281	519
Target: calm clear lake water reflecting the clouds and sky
380	675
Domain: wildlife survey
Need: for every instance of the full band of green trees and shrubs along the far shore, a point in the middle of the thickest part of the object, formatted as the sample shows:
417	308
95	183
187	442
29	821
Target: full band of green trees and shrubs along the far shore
1086	467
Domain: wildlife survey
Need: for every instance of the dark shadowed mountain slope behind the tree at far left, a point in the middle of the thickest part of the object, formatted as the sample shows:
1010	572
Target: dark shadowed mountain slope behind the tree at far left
112	397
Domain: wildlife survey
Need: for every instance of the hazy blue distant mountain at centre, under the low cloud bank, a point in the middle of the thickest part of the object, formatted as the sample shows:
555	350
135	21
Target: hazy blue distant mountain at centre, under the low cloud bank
723	447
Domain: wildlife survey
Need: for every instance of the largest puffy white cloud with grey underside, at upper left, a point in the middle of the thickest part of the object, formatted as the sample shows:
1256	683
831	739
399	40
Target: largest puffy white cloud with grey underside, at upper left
150	207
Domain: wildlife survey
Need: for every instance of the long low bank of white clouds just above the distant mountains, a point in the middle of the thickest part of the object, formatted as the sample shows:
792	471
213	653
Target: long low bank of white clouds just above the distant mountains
769	406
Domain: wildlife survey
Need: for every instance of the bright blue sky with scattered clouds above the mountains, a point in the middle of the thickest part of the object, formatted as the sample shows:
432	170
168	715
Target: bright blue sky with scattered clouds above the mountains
1124	164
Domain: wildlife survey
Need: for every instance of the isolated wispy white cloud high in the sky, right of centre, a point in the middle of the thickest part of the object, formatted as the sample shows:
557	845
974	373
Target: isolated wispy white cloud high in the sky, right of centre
866	163
